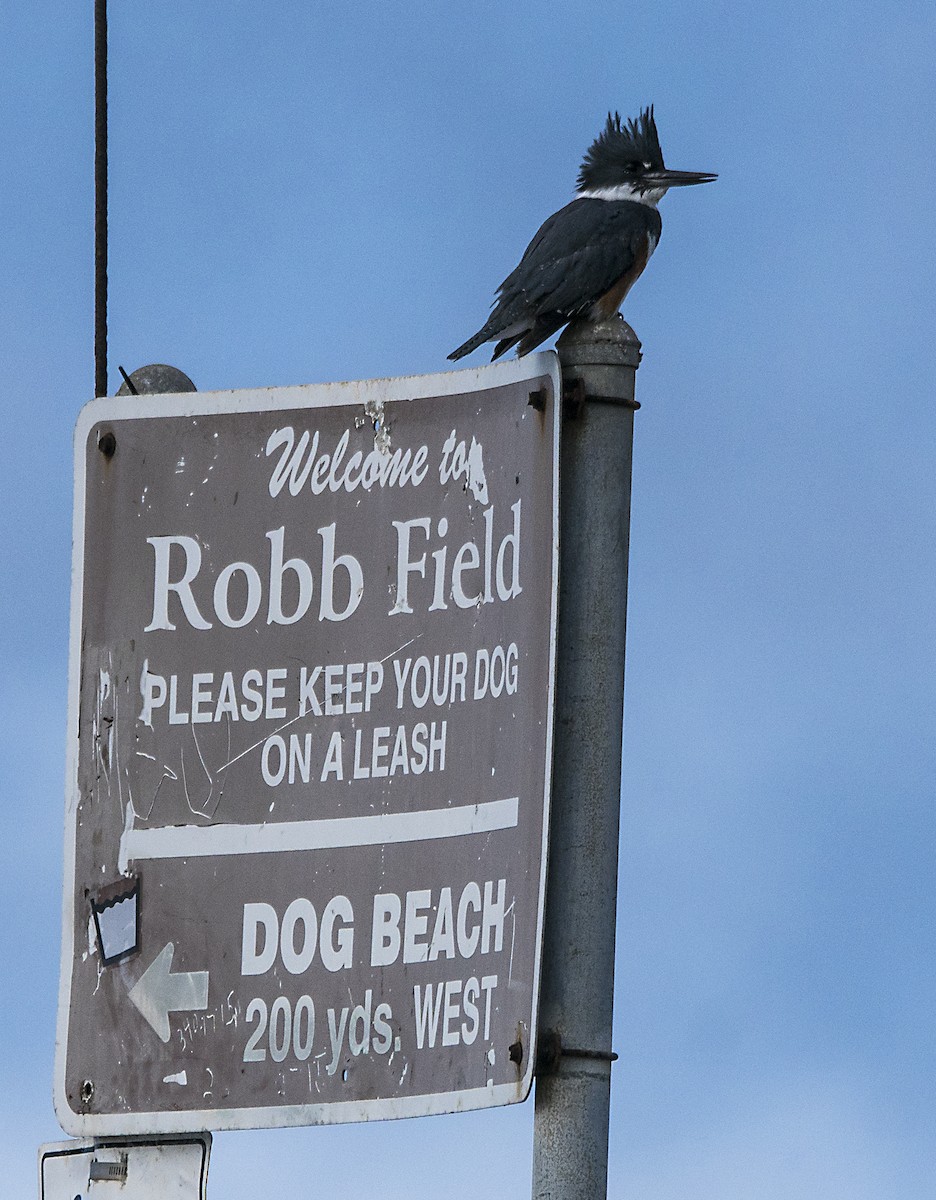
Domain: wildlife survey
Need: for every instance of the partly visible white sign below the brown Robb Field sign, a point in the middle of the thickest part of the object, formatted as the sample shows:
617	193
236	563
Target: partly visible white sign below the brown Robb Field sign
147	1169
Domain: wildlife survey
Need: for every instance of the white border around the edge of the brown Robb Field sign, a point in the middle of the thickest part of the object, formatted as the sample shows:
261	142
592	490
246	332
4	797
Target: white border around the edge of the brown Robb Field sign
353	393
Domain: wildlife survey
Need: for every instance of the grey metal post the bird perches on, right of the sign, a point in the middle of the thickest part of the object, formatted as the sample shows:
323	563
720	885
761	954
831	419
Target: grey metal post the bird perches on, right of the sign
574	1072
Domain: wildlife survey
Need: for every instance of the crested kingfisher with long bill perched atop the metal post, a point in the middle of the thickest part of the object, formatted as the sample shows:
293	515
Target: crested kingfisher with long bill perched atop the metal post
586	257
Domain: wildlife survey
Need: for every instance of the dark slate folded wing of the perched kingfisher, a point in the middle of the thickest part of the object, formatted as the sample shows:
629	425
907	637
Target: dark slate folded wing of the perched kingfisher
577	256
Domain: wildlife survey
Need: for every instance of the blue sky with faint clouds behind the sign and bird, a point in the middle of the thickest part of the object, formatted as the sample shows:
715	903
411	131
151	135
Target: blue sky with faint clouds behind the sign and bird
303	194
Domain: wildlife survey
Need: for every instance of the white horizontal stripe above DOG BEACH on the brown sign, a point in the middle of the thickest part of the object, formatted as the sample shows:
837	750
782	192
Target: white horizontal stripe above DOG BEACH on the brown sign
202	842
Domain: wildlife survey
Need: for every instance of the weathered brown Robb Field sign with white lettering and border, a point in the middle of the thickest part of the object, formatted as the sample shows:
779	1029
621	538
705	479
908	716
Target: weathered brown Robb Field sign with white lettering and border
310	741
